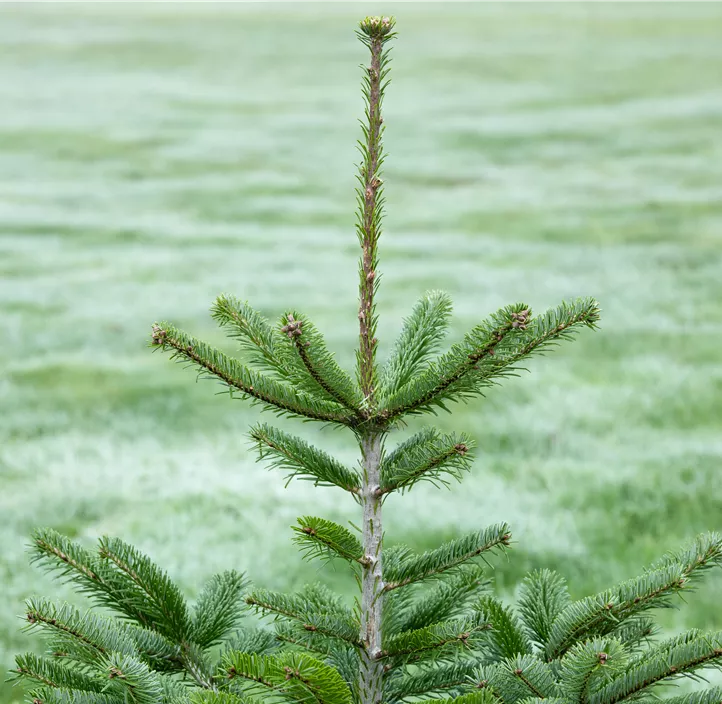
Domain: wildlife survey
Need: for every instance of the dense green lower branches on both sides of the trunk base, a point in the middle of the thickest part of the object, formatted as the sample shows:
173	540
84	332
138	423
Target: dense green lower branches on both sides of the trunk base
448	636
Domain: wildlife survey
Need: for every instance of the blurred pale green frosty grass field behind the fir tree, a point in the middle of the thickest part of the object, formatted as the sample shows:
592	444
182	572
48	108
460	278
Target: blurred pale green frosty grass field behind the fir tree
155	155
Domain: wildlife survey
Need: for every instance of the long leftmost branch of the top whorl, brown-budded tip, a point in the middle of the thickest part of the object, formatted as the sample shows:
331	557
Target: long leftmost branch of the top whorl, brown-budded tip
278	397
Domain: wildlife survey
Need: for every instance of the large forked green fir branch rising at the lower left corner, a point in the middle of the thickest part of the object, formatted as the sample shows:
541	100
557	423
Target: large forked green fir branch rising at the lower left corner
161	630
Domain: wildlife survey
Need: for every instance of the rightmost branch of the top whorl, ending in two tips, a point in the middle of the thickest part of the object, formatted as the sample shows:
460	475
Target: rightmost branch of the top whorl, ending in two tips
489	352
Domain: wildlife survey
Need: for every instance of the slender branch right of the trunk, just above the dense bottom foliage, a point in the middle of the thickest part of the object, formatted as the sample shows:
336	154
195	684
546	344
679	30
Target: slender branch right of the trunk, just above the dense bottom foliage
403	567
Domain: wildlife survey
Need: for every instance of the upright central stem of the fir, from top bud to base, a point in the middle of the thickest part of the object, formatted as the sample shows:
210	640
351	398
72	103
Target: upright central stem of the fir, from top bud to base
374	32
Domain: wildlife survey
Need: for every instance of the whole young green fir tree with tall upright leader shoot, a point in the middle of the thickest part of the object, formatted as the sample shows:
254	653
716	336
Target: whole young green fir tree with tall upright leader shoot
426	625
